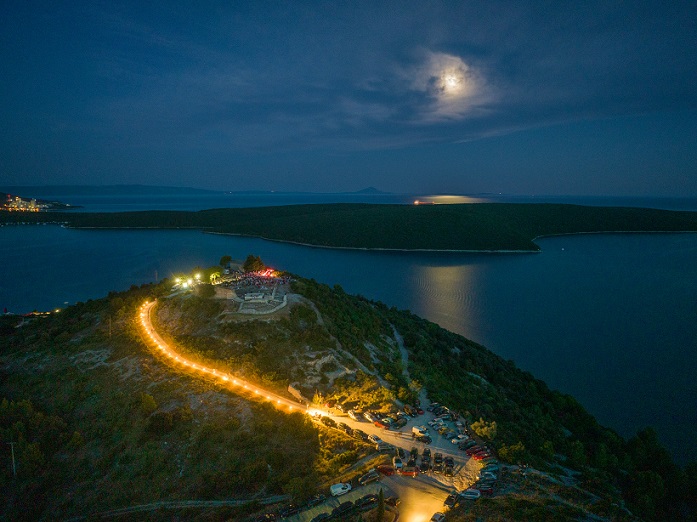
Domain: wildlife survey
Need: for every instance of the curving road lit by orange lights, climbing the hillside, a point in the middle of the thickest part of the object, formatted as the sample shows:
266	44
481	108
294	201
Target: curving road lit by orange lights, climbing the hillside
227	380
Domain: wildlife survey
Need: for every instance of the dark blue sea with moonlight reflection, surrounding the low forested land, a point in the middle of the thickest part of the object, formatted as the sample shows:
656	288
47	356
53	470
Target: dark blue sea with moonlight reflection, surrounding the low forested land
608	318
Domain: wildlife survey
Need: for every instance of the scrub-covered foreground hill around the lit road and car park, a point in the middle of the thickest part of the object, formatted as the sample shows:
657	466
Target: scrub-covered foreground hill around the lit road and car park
103	423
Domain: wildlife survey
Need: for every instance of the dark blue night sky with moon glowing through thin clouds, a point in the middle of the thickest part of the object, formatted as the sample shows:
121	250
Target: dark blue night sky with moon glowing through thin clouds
582	98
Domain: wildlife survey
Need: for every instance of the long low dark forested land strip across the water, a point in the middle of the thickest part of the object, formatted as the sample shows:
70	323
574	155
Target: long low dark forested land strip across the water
464	227
